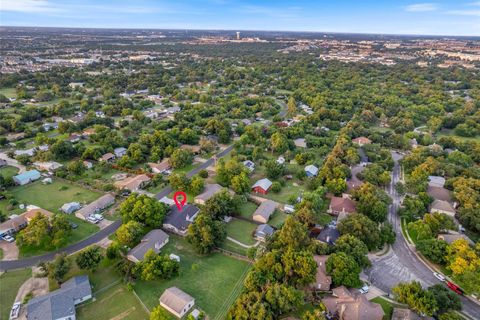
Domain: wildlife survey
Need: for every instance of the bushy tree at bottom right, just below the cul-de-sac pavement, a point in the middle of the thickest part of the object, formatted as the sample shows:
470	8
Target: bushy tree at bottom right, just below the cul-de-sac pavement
419	300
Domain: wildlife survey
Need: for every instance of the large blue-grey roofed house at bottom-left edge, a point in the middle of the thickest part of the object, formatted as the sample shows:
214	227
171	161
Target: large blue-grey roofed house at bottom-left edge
60	304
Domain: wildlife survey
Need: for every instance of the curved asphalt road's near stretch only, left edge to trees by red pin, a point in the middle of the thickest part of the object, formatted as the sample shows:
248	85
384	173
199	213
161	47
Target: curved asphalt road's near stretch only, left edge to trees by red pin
33	261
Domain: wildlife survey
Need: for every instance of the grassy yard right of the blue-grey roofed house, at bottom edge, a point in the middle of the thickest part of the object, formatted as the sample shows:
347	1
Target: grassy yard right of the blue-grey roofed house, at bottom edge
114	303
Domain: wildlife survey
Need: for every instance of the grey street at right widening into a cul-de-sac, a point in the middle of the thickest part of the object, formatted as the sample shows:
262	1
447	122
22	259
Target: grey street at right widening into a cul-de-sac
401	264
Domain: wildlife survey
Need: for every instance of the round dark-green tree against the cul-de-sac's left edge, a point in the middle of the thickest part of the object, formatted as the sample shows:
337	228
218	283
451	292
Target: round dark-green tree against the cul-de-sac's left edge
344	270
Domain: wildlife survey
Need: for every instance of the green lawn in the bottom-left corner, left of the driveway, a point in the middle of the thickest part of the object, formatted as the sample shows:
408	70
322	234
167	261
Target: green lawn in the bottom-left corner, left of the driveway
10	282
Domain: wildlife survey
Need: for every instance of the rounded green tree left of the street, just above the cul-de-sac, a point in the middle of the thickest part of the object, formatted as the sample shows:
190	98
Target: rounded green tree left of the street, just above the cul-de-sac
362	228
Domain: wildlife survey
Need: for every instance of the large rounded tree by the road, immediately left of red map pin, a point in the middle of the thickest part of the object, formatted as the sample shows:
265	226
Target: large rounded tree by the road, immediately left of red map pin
143	209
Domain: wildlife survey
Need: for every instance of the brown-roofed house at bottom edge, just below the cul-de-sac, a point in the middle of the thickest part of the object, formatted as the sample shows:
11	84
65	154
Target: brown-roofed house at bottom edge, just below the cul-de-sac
345	305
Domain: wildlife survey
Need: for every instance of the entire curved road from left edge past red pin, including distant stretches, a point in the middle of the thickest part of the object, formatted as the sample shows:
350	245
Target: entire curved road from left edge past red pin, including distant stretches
6	265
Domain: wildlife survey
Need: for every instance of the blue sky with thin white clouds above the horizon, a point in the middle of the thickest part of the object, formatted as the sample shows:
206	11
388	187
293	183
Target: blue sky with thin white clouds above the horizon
442	17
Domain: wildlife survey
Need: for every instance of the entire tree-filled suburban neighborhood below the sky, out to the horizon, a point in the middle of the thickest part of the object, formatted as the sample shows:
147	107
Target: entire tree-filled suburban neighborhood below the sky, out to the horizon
150	174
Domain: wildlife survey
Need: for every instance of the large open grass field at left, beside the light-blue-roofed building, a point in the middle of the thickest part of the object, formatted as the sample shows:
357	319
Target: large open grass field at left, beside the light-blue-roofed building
52	196
